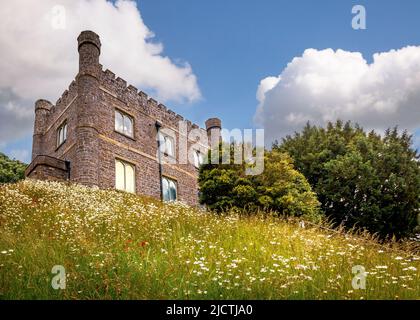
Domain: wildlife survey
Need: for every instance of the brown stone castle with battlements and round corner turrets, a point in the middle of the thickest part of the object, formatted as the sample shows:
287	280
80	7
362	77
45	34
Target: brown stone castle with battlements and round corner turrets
103	133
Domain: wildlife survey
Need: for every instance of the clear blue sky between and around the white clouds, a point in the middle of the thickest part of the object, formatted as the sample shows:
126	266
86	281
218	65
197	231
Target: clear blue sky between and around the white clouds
233	45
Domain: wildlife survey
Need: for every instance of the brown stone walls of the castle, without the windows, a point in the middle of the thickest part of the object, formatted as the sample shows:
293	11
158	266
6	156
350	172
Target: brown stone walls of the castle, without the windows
92	145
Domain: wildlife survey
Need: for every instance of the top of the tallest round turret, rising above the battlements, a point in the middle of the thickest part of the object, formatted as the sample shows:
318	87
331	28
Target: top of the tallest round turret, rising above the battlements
89	46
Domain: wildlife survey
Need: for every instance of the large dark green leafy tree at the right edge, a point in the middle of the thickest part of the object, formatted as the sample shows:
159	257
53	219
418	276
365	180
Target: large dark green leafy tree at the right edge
360	178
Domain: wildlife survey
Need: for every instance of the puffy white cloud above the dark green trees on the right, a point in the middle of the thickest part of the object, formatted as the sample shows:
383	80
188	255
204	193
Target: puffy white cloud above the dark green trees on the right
324	85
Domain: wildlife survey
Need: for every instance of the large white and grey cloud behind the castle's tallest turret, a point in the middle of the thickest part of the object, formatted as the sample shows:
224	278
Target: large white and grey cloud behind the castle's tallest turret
39	55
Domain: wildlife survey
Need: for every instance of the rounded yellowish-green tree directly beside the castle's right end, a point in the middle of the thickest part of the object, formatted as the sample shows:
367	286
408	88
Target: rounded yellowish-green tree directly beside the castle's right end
280	188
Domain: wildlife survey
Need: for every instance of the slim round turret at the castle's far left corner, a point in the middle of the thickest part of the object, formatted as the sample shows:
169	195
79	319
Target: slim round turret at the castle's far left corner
42	111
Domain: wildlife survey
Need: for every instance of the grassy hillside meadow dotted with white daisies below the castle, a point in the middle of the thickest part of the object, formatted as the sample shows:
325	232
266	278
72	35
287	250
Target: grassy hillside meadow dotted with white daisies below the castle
115	245
